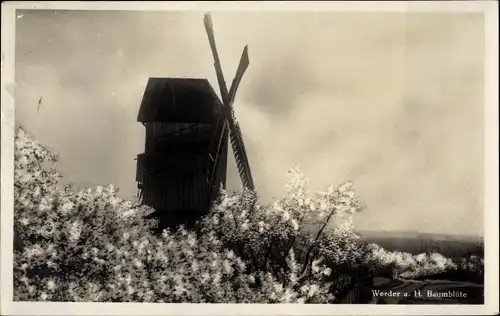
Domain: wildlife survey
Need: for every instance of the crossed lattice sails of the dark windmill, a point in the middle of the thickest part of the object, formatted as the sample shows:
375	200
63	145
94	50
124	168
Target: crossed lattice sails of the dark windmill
235	135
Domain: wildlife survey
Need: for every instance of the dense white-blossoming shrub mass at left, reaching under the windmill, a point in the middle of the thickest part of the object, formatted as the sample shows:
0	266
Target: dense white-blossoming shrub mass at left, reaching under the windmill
94	246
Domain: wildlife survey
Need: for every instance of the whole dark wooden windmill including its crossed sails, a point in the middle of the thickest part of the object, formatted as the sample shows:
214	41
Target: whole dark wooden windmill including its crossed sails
188	129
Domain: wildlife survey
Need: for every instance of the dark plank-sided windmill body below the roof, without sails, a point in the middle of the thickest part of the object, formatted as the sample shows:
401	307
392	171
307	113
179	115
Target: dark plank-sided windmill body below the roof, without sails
172	172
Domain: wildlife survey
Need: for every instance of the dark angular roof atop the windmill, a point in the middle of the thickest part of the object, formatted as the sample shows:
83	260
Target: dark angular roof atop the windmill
186	100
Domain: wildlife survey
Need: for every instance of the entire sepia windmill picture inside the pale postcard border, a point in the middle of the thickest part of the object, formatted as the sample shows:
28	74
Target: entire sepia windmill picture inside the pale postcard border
258	157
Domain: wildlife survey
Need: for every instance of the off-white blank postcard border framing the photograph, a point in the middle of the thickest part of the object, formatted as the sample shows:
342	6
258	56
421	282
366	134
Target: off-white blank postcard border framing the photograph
490	8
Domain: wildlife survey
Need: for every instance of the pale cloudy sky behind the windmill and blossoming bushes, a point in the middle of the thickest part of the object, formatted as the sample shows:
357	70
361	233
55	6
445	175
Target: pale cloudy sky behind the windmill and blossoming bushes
390	101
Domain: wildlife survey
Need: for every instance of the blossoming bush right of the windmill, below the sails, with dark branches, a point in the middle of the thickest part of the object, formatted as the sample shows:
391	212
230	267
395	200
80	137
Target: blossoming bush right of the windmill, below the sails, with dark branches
276	238
